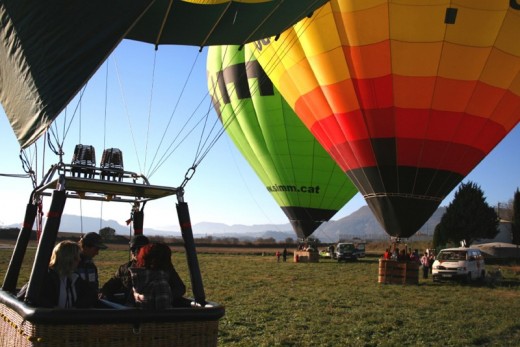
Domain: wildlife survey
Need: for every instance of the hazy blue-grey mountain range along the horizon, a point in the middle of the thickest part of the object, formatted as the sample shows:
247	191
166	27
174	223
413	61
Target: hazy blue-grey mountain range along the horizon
360	223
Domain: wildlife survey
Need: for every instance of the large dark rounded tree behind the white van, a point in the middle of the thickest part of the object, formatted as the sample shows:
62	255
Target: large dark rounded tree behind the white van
469	217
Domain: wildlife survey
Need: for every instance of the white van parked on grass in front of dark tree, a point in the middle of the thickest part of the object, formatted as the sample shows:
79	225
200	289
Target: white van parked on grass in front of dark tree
459	263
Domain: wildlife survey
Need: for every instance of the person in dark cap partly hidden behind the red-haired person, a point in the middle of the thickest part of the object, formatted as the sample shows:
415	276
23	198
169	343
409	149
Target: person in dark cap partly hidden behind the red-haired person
119	287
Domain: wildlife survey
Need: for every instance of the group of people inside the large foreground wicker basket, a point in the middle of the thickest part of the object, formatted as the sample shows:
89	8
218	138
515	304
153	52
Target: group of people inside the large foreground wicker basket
148	280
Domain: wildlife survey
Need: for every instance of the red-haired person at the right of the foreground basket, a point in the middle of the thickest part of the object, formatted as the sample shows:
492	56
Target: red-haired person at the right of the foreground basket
156	284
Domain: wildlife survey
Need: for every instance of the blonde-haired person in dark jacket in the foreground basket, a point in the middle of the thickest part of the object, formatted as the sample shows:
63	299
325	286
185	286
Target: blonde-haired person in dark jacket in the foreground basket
62	287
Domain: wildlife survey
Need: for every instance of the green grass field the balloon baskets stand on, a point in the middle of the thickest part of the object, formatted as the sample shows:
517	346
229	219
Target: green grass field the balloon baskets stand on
340	304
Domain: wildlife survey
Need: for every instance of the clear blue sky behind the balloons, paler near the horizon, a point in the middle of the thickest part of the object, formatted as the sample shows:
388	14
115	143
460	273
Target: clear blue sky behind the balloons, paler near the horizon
130	109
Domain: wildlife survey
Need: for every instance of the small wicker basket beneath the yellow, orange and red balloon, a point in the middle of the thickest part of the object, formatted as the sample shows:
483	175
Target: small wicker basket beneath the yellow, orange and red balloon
398	272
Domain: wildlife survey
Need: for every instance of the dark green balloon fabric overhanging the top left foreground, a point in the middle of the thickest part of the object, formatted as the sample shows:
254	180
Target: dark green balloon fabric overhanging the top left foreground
48	50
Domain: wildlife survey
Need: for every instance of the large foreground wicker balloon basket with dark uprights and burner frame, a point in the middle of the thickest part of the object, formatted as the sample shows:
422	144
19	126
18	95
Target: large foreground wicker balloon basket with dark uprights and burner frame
23	323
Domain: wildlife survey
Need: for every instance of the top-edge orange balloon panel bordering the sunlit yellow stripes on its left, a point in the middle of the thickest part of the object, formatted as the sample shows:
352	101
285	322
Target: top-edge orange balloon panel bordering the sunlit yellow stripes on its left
363	27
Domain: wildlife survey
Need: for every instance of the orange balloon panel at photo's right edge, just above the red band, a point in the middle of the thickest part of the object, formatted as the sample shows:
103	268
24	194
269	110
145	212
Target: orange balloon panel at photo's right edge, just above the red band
501	69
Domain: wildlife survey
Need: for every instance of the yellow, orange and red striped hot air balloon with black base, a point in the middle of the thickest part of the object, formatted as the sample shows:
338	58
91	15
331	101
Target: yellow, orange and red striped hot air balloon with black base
407	97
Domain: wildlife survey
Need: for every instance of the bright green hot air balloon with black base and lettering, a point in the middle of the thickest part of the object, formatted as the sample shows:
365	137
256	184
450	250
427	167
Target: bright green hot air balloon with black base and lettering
298	173
